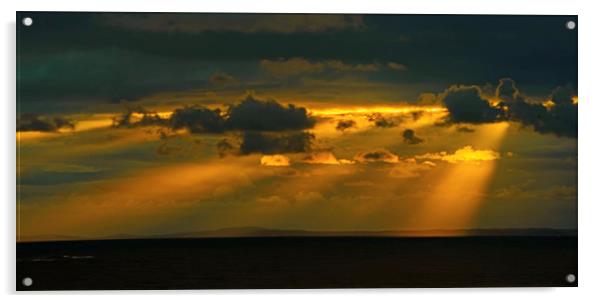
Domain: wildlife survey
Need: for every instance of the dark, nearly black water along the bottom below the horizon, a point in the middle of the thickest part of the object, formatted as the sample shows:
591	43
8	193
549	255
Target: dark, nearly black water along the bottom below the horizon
297	262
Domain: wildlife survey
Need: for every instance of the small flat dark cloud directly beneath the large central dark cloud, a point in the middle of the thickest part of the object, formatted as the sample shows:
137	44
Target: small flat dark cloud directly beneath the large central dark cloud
275	143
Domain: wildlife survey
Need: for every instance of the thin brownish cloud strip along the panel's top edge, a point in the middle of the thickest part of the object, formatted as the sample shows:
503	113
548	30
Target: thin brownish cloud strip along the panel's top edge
245	23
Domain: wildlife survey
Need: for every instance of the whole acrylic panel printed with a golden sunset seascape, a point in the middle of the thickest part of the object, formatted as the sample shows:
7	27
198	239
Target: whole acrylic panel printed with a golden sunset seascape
204	151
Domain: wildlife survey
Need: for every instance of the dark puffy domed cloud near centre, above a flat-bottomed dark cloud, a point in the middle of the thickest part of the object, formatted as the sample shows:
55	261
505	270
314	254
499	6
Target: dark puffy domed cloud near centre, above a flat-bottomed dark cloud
256	115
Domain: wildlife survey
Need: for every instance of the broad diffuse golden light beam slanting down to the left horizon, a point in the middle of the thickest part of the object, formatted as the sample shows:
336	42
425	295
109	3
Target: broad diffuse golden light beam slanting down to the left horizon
136	202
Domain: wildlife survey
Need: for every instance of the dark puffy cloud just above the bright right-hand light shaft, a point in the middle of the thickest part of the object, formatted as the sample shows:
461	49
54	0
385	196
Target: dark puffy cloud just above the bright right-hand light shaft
466	104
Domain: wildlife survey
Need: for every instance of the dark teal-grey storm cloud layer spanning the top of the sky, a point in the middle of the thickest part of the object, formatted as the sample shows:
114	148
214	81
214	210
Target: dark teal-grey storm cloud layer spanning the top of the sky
88	57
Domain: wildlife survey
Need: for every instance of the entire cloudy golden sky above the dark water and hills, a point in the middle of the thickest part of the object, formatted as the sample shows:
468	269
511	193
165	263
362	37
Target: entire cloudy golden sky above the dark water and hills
153	124
